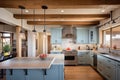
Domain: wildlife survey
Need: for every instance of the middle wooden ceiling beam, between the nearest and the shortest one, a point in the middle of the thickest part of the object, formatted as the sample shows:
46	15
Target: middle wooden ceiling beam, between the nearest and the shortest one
58	16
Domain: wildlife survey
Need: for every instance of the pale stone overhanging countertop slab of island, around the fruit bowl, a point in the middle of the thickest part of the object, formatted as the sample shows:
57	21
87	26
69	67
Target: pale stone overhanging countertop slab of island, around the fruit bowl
27	63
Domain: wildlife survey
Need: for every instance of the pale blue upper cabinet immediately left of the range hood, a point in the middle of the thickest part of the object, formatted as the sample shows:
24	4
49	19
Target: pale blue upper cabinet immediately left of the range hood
56	35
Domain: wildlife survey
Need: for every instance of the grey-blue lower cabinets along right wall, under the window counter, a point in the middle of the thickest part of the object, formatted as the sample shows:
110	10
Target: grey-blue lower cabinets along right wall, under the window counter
107	67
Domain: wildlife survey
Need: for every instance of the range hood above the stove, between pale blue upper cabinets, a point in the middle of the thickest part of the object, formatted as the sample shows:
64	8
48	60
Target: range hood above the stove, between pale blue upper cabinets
68	32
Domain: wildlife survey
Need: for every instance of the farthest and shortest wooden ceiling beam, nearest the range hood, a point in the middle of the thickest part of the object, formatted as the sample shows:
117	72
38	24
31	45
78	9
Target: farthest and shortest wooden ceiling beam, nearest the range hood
85	23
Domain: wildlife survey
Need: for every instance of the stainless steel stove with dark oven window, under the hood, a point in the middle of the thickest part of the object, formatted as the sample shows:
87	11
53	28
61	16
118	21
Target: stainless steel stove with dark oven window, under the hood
70	57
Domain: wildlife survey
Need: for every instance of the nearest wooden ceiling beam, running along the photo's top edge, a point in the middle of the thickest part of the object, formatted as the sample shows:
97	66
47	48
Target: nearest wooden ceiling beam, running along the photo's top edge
55	4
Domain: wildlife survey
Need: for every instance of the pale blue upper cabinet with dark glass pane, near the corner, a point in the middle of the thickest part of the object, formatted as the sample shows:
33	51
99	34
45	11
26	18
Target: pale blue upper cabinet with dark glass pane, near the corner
93	35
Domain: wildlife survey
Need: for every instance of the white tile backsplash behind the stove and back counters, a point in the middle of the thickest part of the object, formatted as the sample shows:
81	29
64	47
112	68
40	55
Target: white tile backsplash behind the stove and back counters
71	44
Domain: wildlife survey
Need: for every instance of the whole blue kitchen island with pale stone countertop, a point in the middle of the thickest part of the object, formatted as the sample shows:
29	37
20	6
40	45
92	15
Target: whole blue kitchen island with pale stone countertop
25	68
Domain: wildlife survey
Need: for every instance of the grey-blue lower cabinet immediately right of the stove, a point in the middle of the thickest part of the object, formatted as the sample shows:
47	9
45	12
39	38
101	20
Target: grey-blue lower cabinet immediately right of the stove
83	57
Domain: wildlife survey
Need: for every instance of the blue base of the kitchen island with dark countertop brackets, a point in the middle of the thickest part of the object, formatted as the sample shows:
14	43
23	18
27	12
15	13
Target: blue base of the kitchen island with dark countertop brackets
56	72
